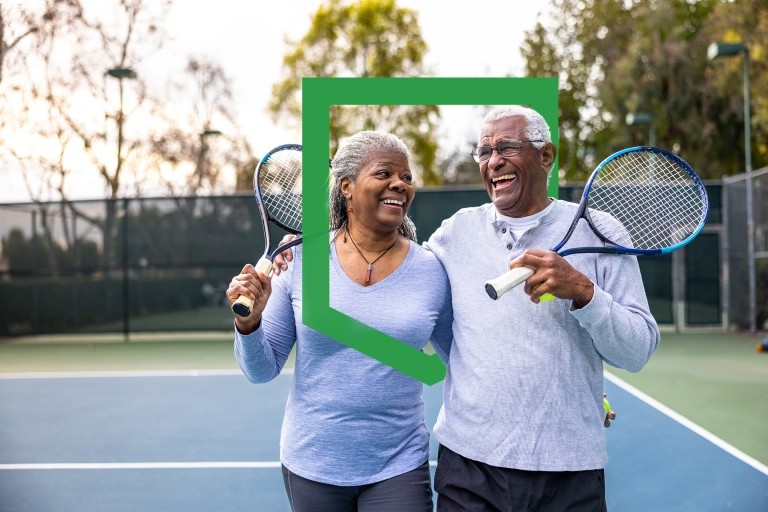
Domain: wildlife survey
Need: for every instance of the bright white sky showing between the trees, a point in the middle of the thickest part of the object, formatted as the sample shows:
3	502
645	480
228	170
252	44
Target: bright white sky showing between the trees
465	39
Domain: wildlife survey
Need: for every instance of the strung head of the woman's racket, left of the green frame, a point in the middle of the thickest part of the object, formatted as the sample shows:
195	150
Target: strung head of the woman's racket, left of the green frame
277	186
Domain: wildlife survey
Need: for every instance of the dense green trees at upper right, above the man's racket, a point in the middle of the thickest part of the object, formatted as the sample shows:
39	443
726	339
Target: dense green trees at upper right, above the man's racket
614	58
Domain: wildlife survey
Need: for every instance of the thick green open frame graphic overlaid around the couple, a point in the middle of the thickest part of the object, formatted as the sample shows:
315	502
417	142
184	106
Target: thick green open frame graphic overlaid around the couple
318	95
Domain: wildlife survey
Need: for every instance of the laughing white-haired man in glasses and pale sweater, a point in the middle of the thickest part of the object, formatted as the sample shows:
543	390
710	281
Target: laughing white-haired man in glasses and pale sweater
521	426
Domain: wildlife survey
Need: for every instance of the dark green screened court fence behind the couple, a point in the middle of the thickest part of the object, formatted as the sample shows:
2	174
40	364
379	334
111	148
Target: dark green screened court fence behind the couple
163	264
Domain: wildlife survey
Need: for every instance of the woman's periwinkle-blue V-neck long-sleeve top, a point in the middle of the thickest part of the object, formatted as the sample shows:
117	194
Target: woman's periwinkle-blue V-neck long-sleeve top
351	420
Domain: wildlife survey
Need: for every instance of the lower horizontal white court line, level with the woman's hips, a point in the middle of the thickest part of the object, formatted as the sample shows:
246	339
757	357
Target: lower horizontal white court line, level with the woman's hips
148	465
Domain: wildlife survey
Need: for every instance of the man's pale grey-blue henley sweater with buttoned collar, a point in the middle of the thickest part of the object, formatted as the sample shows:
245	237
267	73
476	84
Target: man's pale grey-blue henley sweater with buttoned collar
525	381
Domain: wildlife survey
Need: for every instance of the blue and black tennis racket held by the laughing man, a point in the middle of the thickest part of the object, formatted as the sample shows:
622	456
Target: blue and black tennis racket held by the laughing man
648	198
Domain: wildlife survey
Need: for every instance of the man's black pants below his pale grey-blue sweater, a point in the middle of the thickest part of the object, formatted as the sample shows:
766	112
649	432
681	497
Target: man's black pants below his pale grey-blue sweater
466	485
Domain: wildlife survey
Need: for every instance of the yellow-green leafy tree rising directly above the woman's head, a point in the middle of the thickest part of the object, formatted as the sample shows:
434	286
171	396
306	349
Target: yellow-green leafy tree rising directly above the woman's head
366	38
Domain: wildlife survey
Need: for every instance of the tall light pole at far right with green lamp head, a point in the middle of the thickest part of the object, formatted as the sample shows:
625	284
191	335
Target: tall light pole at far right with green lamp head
714	51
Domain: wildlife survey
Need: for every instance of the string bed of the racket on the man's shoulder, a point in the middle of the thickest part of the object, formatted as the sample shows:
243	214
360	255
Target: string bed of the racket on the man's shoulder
656	201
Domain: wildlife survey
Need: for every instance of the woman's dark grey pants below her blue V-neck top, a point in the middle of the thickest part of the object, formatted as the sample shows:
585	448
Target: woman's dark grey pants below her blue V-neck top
409	492
